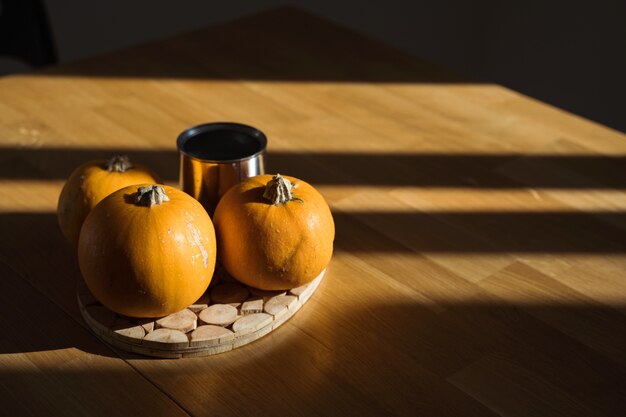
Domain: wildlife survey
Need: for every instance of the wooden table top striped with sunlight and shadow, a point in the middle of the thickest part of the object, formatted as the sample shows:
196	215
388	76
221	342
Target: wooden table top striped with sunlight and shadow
480	251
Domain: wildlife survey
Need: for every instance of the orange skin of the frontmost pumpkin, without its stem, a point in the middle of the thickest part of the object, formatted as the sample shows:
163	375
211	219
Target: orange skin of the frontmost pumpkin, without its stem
147	261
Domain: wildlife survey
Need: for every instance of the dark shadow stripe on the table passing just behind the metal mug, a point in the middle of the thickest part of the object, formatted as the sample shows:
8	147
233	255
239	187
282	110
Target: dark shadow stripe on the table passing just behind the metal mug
343	168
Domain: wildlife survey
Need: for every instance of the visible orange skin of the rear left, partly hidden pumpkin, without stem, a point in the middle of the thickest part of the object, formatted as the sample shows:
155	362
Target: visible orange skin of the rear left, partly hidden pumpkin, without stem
87	186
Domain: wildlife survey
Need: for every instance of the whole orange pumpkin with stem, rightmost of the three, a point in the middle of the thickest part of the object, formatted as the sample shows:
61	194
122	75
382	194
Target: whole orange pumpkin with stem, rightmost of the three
274	233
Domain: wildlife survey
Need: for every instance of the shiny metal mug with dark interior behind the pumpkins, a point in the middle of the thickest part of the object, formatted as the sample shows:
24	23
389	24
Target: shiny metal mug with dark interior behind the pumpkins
216	156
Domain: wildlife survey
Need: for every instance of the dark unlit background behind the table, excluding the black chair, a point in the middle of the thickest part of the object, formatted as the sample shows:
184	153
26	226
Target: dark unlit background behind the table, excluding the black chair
568	53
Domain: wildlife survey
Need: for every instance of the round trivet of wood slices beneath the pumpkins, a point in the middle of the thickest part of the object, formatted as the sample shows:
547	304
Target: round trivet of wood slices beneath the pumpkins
227	316
